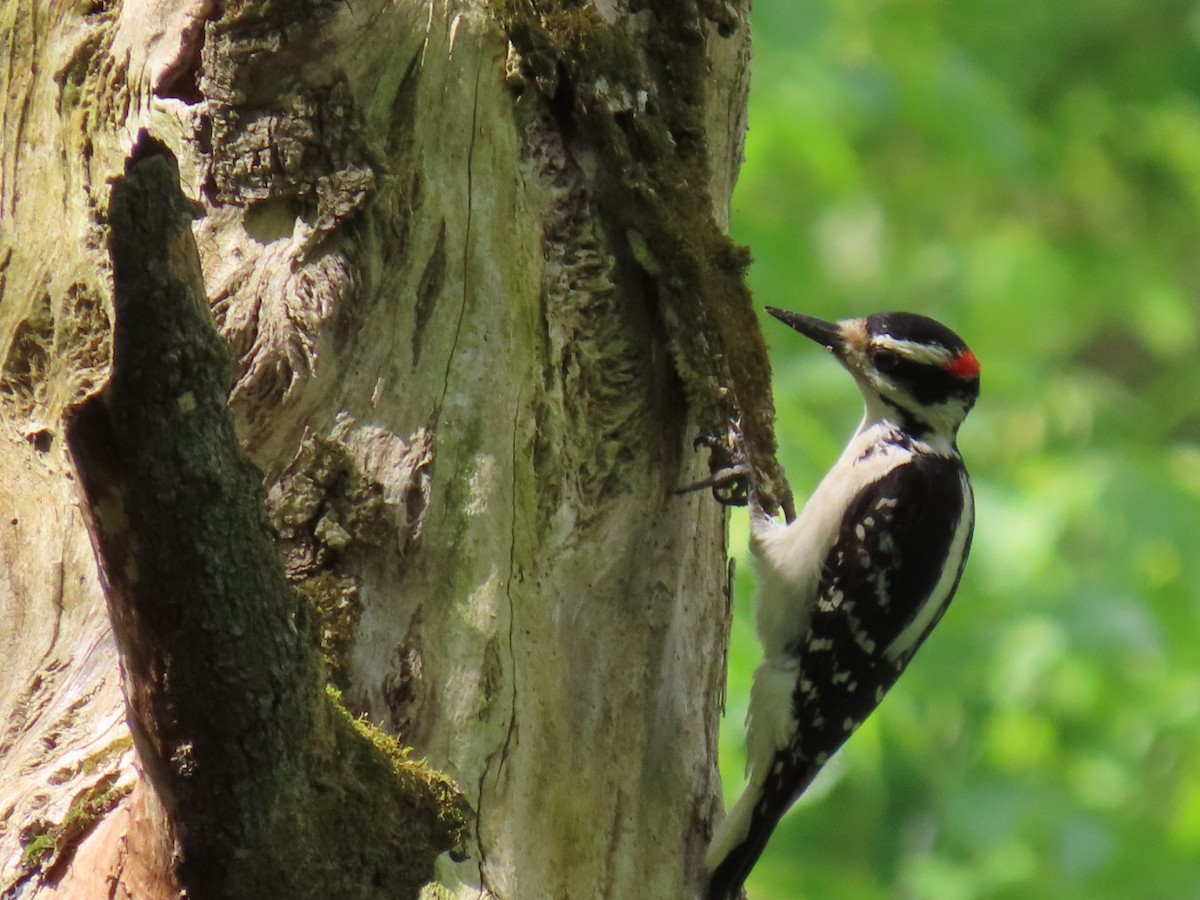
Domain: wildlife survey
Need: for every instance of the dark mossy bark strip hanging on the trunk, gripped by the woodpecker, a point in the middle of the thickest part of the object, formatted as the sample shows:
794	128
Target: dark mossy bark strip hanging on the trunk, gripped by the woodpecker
638	88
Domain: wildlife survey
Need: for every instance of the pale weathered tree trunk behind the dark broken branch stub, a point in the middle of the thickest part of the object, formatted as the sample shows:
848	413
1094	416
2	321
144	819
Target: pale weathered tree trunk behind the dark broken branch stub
469	261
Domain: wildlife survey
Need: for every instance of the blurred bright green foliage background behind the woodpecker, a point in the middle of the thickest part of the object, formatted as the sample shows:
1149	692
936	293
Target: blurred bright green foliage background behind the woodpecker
1030	175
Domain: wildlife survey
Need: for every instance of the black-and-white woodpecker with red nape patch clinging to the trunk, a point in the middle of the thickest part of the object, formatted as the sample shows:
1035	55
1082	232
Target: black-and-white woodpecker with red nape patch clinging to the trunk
850	589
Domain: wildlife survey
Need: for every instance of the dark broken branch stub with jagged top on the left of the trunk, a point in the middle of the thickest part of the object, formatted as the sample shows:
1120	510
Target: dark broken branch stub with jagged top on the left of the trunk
272	789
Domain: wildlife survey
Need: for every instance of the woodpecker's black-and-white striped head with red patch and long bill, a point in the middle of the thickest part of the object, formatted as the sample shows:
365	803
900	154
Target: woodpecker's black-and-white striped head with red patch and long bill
910	368
